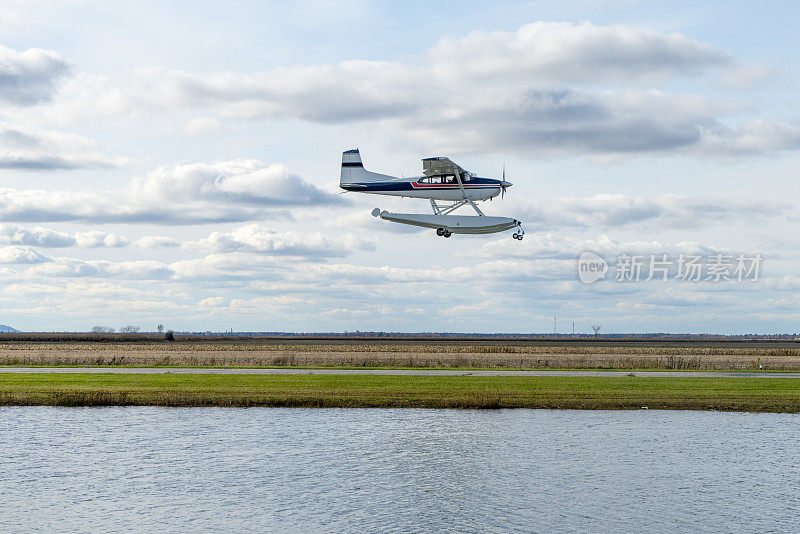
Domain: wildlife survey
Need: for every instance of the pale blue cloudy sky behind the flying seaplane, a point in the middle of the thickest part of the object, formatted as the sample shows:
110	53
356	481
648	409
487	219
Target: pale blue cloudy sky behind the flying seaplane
177	163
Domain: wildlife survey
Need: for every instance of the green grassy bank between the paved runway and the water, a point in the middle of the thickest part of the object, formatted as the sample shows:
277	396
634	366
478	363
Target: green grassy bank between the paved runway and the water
763	394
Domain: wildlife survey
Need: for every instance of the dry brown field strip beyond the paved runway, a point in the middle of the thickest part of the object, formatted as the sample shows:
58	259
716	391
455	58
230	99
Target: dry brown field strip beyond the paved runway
147	350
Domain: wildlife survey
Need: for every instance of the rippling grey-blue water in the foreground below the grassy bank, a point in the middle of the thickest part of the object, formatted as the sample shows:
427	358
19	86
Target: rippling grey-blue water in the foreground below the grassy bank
406	470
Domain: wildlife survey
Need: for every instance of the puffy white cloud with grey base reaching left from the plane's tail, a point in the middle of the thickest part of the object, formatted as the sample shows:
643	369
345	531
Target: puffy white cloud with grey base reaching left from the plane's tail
228	191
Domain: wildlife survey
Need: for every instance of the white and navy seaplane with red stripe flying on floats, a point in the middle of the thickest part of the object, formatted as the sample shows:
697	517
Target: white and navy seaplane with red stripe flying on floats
445	184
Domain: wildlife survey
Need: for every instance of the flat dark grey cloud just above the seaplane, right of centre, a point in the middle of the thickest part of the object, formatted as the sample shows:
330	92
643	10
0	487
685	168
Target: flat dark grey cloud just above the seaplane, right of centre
566	121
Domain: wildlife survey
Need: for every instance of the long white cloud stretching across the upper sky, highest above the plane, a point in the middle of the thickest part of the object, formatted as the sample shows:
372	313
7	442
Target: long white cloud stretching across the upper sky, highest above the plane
538	55
